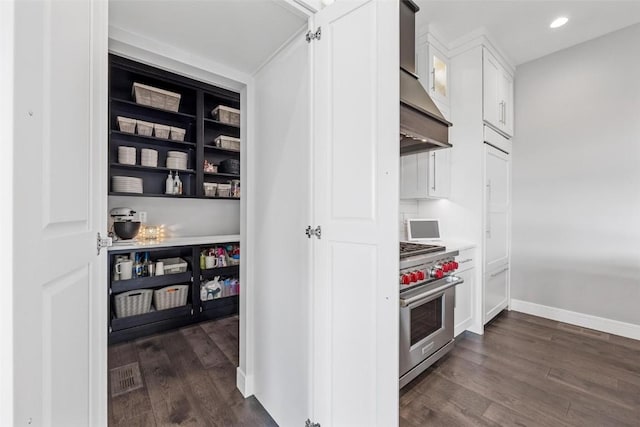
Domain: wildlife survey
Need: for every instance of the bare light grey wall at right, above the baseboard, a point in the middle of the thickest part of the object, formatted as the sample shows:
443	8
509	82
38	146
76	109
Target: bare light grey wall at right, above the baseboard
576	179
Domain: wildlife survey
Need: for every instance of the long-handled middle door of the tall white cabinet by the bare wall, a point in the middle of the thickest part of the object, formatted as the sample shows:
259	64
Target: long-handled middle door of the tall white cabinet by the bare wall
497	204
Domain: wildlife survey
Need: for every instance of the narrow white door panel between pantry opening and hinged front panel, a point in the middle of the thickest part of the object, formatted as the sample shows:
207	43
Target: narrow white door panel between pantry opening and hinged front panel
282	253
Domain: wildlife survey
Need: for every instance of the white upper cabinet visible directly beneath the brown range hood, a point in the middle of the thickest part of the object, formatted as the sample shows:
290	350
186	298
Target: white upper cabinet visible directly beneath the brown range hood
426	175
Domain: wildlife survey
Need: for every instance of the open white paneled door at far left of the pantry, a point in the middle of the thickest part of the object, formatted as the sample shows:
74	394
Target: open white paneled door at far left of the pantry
60	205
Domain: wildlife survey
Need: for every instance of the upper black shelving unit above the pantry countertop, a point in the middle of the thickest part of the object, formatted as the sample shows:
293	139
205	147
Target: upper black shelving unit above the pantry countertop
197	101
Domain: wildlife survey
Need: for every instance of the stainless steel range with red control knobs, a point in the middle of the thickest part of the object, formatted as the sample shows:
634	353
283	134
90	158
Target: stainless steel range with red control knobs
427	299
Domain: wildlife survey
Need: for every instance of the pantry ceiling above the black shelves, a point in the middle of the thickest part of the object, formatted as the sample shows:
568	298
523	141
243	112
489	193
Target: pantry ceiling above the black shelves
241	34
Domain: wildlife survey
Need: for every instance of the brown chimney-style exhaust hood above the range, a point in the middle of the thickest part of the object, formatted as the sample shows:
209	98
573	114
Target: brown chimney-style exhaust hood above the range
422	125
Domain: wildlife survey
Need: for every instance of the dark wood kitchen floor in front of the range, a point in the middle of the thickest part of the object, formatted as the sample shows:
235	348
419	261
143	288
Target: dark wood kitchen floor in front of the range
529	371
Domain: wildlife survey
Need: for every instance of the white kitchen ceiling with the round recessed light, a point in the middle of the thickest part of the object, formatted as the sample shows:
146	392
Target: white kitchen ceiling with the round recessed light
520	28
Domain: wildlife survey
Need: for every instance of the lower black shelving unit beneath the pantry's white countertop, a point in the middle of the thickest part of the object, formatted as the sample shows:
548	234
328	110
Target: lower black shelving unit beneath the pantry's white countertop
195	310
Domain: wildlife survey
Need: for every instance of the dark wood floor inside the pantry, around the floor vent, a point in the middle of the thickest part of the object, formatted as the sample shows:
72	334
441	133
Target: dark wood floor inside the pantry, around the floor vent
189	379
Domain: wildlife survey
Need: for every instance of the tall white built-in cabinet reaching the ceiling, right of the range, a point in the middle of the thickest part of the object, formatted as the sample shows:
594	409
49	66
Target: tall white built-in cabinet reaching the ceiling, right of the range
482	115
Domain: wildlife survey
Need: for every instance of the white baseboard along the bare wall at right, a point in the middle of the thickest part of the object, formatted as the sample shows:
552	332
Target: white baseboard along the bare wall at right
615	327
